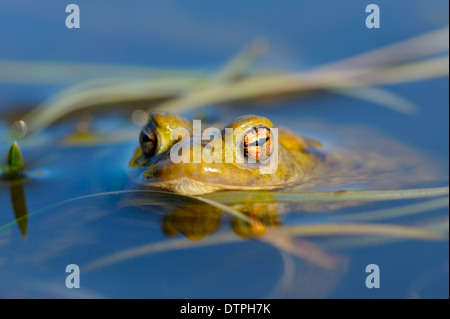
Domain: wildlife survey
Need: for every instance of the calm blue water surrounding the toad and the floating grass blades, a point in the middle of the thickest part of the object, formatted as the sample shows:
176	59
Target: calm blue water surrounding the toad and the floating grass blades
204	35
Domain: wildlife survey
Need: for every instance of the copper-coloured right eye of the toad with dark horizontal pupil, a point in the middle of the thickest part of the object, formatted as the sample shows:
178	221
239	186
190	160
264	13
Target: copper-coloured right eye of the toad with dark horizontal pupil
257	144
